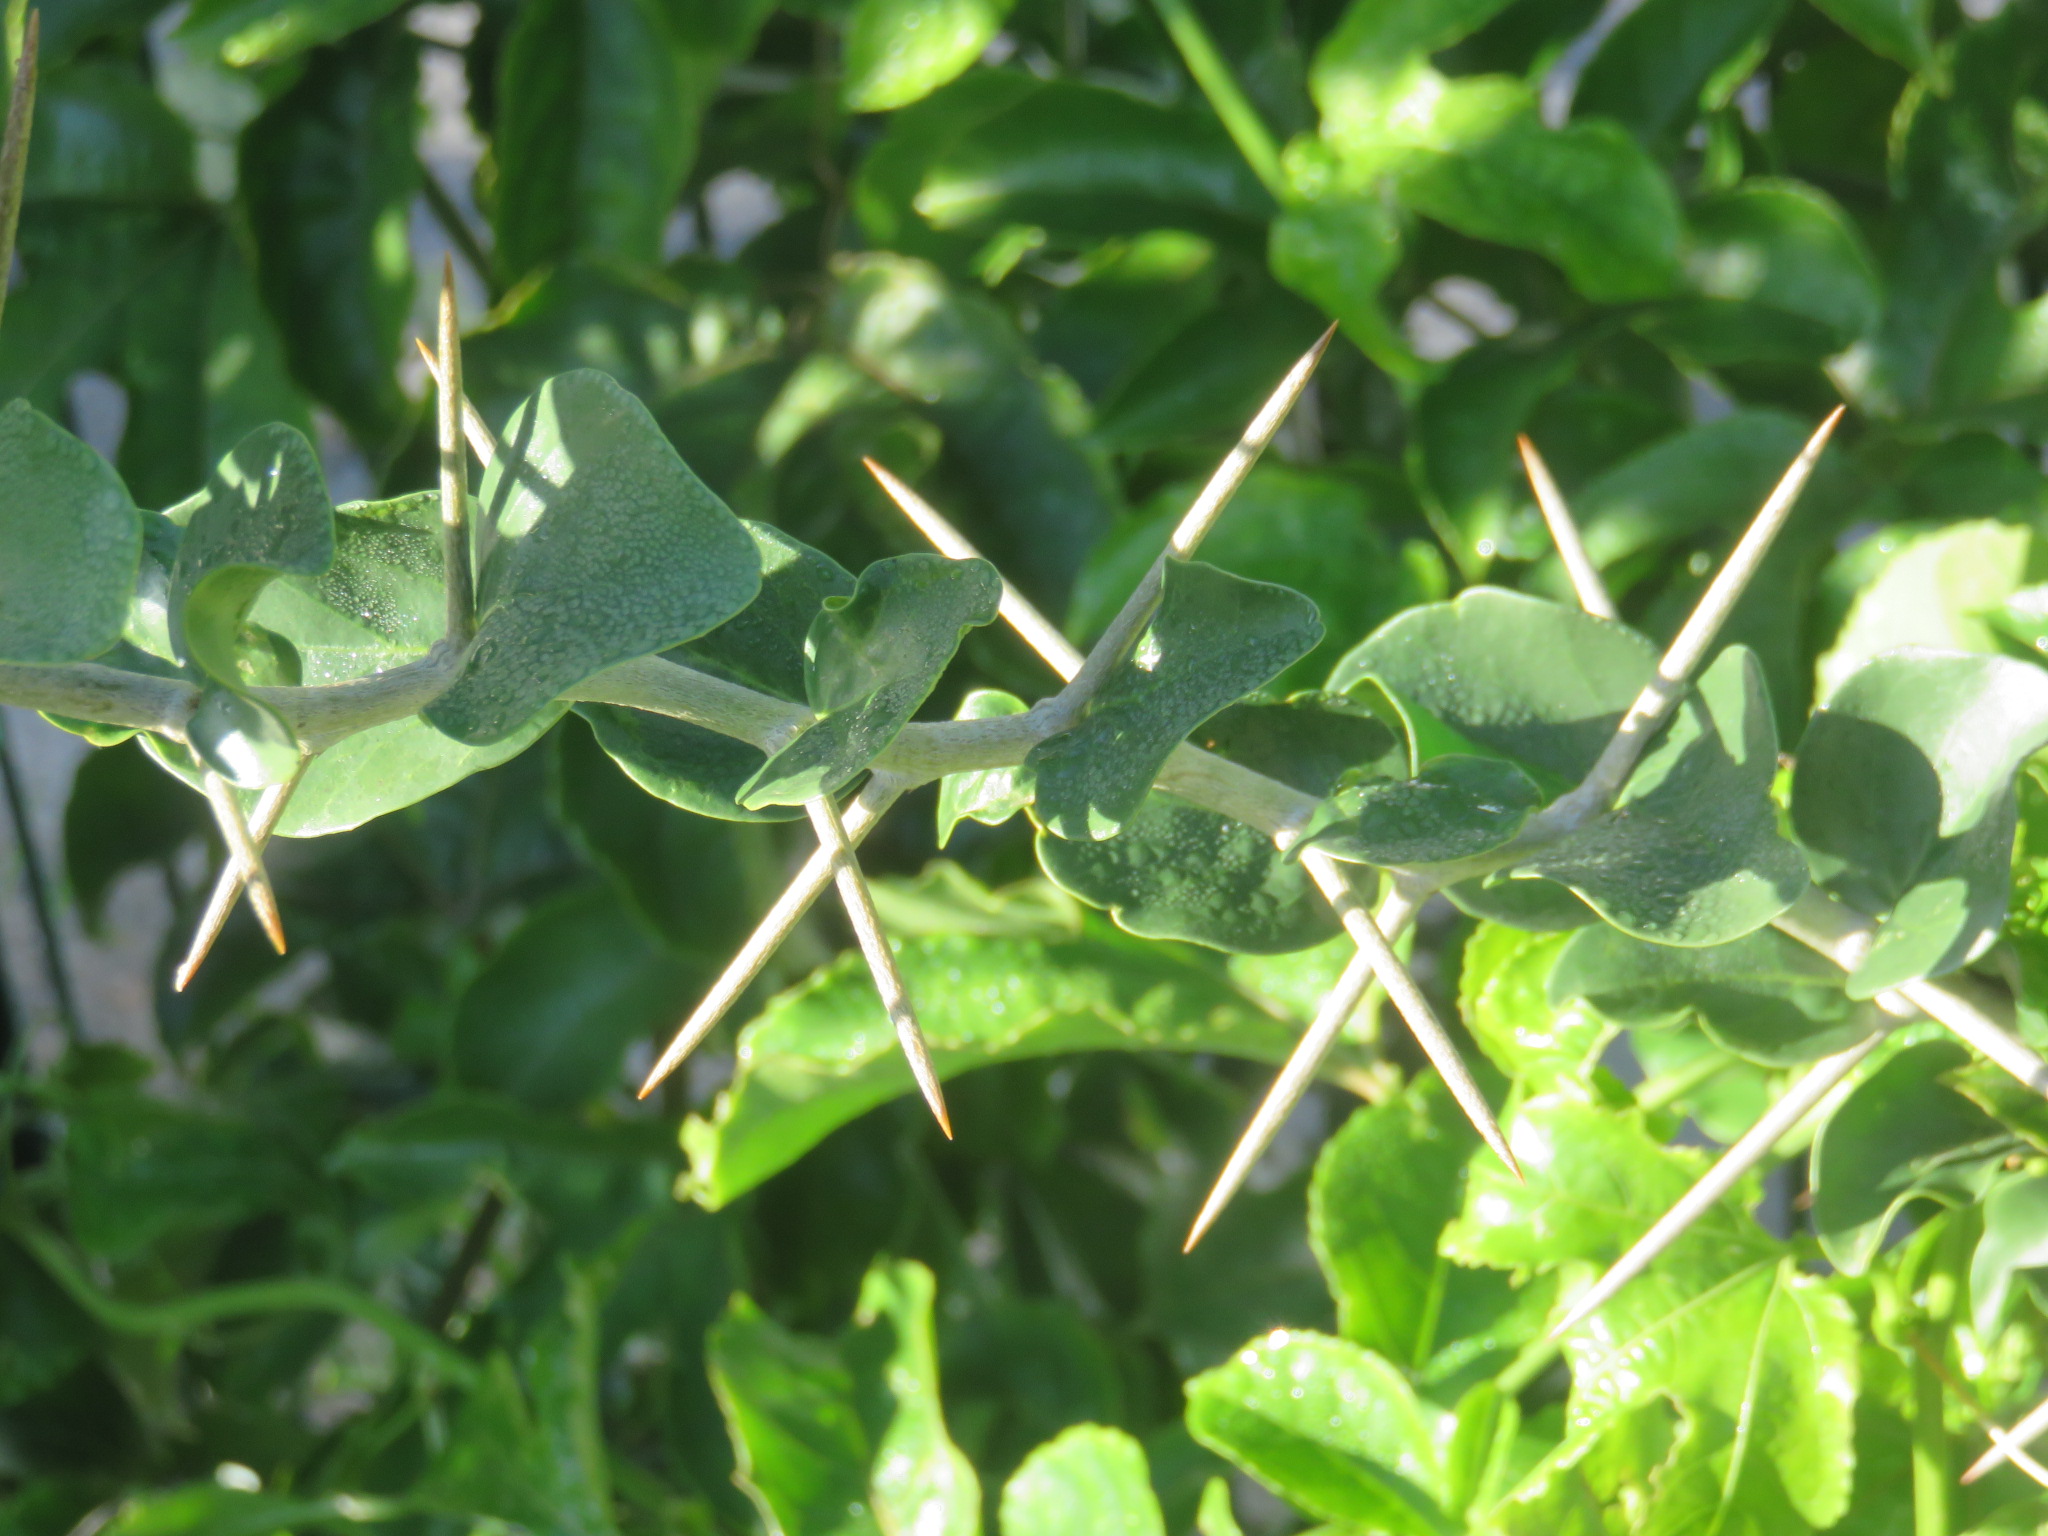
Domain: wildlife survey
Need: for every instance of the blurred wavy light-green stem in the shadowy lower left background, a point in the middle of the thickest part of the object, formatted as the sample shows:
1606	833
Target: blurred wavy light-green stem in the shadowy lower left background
249	1299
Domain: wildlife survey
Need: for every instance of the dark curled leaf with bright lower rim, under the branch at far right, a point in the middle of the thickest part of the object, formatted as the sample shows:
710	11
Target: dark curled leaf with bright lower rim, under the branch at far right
1900	1136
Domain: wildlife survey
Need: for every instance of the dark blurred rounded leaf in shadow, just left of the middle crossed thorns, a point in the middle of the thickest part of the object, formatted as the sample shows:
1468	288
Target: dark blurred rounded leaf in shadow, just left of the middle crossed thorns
552	1015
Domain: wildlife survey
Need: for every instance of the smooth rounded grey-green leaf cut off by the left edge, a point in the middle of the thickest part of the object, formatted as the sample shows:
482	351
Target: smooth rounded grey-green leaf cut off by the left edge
73	544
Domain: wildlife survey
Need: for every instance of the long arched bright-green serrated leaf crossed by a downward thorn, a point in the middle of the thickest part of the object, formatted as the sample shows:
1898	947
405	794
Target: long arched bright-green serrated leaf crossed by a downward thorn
820	1056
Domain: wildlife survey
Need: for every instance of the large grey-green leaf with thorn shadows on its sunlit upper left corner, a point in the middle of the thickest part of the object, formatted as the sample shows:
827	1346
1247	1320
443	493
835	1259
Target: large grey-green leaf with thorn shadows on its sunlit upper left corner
603	548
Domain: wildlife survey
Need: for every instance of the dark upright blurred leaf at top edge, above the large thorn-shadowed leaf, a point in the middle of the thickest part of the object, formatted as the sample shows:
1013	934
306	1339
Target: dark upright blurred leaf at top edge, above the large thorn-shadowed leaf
597	134
